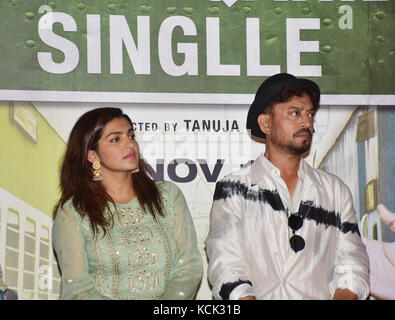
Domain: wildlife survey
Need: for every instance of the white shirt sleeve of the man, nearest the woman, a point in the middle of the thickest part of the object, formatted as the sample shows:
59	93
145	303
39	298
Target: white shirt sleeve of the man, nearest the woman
228	270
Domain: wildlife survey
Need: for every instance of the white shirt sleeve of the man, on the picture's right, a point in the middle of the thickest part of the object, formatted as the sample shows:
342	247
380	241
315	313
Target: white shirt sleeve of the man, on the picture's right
351	262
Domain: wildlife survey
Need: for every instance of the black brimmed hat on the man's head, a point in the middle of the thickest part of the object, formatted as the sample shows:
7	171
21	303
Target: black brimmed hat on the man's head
270	89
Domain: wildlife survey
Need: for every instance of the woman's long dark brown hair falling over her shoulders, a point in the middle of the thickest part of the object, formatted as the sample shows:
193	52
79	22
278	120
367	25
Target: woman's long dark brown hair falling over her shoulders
89	197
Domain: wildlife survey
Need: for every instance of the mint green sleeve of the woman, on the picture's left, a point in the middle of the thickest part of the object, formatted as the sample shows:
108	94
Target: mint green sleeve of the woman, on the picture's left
69	245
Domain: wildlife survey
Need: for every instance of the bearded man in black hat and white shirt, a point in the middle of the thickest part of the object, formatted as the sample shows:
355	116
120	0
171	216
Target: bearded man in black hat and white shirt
280	229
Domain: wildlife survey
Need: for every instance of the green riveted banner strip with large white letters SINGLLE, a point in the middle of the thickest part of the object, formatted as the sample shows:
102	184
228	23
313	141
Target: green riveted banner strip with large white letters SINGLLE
194	46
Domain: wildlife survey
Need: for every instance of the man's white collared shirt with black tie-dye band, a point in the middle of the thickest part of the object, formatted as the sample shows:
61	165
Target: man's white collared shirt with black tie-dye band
248	243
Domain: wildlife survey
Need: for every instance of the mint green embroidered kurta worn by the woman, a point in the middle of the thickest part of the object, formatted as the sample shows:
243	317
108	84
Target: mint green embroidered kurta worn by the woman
138	258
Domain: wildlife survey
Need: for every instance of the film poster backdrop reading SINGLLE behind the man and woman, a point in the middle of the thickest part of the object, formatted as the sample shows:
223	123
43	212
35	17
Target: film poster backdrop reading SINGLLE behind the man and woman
187	87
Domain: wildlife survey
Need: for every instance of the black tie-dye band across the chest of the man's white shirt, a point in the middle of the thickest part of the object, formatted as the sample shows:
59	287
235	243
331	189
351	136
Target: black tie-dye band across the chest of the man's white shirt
307	209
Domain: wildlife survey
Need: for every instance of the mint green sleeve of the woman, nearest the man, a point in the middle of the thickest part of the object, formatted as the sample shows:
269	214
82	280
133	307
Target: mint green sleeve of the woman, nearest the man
187	268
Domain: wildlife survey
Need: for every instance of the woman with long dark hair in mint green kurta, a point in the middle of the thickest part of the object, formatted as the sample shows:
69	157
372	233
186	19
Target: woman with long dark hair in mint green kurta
117	234
